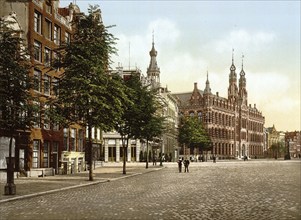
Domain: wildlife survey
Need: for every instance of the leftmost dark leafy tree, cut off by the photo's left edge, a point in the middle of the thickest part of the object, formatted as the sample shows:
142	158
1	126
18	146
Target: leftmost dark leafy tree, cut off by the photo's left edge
15	84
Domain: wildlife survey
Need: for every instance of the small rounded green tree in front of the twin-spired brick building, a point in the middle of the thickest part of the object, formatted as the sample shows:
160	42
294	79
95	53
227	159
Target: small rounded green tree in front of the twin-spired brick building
193	134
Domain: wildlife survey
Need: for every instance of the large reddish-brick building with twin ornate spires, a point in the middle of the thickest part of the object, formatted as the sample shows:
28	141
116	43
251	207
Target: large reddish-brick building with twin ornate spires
236	129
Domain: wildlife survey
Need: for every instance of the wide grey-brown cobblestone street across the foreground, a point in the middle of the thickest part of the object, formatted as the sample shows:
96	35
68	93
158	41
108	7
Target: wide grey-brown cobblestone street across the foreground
223	190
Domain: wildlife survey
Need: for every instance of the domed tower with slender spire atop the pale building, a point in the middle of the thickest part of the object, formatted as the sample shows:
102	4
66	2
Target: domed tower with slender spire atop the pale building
153	71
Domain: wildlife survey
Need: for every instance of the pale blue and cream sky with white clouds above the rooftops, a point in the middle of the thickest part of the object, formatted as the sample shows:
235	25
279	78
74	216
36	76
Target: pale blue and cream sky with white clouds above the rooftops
192	37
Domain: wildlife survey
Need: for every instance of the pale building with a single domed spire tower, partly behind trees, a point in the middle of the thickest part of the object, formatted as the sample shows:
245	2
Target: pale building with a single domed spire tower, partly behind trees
167	144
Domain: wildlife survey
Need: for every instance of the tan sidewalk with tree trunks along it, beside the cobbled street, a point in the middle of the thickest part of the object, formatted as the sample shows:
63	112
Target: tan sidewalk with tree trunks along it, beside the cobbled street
29	187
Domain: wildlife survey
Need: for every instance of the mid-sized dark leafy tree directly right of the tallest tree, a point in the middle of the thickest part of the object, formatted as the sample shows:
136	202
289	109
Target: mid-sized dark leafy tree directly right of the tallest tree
139	120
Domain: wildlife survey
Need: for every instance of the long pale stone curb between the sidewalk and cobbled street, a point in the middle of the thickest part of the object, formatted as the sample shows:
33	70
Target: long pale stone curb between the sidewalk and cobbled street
73	187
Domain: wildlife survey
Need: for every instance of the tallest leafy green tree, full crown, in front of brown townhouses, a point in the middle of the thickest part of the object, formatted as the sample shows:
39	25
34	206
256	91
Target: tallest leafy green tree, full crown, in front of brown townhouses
88	95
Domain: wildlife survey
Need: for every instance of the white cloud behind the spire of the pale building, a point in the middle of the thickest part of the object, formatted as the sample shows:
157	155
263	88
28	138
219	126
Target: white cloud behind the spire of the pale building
134	50
